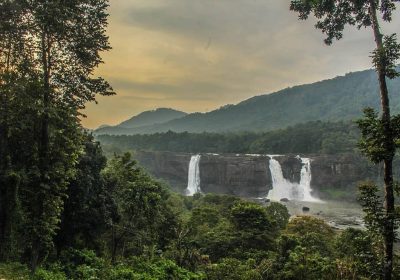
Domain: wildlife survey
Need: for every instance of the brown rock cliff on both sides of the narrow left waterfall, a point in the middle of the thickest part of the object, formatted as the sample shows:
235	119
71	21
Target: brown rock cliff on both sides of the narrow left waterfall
241	175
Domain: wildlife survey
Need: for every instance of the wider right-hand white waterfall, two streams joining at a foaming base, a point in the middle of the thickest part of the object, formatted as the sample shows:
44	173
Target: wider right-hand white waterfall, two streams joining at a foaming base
283	188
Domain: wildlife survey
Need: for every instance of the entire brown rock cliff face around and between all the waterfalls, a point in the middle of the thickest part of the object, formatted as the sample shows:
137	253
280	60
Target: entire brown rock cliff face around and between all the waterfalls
249	175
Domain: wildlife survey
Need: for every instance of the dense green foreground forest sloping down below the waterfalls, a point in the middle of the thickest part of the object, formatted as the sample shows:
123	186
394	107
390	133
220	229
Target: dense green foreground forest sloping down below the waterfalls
118	223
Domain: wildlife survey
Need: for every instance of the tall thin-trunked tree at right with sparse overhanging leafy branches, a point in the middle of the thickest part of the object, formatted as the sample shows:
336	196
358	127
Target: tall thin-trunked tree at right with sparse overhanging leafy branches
379	135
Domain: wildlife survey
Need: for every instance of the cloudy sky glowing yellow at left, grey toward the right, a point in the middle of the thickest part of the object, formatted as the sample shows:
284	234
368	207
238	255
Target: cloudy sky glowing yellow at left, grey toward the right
197	55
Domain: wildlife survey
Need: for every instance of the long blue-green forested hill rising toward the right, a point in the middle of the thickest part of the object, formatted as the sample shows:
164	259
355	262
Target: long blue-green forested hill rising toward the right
340	98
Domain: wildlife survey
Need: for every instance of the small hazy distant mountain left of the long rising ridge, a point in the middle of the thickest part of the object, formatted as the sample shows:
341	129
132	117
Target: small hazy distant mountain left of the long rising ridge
147	118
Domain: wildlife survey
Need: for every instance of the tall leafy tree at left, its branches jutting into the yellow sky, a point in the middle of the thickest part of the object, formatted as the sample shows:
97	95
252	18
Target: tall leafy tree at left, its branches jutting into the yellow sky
68	37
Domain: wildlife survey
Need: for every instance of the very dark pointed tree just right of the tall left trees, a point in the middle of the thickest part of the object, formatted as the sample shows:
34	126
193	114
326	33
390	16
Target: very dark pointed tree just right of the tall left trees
86	207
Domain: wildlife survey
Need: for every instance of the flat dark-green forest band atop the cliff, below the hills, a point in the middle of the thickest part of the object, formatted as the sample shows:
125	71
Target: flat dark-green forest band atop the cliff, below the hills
308	138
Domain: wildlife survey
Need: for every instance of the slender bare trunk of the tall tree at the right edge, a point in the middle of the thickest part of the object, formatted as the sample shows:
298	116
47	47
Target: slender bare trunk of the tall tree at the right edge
389	147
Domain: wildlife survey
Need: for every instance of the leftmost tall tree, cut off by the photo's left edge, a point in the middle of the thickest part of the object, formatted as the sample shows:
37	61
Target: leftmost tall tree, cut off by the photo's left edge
13	79
